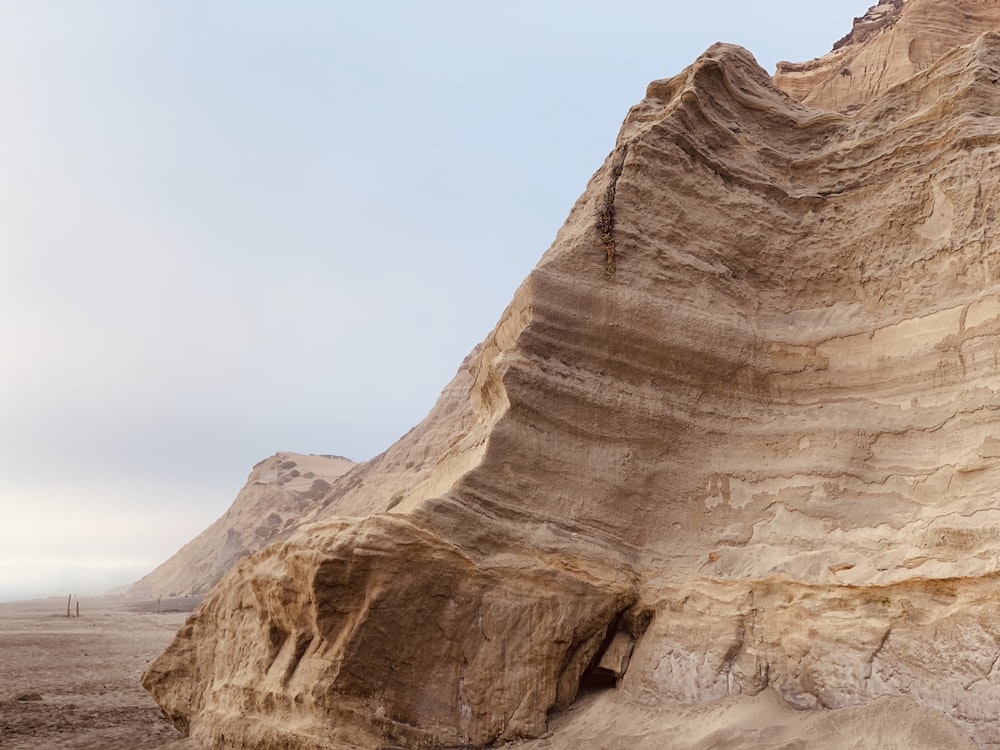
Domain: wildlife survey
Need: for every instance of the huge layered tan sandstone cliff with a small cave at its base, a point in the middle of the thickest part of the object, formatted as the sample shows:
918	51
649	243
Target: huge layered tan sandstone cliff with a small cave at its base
732	450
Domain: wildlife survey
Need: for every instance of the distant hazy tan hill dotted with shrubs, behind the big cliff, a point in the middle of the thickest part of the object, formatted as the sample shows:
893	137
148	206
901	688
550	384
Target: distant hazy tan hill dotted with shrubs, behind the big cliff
279	490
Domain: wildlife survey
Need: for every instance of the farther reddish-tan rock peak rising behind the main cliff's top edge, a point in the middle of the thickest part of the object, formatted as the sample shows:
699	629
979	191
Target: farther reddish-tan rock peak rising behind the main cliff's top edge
891	42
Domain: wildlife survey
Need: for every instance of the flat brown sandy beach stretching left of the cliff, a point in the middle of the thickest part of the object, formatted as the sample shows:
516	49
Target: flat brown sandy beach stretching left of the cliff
86	672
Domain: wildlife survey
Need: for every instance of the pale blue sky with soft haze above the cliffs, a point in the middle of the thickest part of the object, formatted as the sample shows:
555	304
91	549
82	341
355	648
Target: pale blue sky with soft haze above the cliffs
238	227
